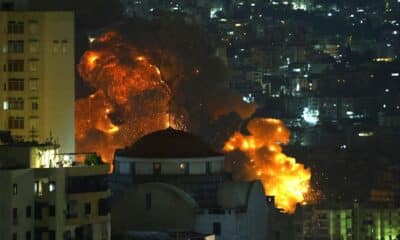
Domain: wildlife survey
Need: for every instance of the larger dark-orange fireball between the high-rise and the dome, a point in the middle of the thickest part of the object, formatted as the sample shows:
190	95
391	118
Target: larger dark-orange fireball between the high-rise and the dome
128	90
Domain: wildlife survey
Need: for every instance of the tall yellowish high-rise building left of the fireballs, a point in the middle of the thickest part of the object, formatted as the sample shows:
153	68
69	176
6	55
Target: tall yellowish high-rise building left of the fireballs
37	76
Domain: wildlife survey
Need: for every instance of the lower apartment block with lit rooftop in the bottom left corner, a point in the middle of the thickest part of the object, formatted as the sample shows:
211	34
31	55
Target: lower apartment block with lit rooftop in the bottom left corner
47	195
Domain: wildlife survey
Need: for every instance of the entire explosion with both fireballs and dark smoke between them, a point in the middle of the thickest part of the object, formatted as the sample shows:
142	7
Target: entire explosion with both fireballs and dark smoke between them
147	83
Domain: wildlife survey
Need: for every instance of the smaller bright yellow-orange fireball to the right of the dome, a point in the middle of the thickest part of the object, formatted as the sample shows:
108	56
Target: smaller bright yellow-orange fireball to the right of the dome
281	176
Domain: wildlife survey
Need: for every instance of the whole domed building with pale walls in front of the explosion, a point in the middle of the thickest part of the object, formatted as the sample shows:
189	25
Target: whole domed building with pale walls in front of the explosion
170	181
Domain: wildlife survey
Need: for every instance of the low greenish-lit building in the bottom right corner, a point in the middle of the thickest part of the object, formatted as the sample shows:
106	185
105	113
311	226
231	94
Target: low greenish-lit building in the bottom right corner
357	223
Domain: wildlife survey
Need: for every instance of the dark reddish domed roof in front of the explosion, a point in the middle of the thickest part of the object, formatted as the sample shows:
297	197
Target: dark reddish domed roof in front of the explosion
168	143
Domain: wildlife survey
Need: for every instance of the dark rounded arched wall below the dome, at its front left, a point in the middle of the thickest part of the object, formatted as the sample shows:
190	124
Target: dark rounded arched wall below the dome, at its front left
171	209
